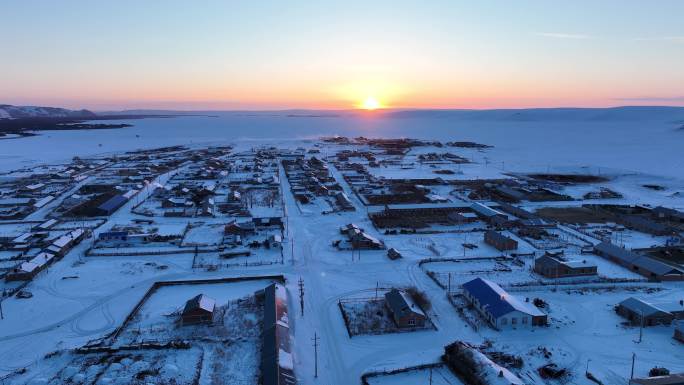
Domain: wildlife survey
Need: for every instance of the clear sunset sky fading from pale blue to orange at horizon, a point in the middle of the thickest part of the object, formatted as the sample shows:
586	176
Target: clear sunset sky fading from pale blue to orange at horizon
324	54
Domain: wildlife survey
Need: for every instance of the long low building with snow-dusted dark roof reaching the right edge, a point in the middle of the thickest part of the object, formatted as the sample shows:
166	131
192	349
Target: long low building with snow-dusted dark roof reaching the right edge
651	268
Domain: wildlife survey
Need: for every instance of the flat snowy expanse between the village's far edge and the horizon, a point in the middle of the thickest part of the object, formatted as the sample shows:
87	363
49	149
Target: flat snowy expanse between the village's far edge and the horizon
648	144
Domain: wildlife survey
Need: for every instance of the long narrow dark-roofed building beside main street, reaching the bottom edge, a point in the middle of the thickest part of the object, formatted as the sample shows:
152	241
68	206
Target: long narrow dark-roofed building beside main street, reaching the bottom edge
276	354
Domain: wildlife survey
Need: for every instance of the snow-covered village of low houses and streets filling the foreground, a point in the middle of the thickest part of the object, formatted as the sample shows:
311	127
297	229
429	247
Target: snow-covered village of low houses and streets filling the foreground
337	261
